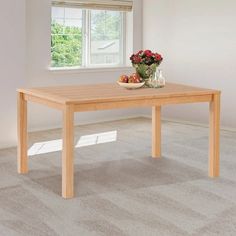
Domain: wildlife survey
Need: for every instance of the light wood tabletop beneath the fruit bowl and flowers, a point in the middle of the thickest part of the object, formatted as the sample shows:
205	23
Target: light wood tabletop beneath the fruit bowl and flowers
98	93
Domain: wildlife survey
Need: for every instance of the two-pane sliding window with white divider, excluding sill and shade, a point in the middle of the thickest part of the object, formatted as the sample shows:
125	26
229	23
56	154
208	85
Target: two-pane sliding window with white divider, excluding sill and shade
87	38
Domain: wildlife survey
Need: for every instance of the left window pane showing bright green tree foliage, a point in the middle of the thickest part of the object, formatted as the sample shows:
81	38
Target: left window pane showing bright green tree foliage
66	37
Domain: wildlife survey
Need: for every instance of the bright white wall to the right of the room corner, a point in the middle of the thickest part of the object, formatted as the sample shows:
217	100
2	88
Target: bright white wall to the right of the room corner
198	42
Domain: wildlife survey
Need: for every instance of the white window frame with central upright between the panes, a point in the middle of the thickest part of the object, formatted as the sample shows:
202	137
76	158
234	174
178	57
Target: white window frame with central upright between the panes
86	41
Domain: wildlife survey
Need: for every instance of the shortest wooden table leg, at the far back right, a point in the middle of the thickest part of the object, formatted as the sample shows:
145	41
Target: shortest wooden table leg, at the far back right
156	131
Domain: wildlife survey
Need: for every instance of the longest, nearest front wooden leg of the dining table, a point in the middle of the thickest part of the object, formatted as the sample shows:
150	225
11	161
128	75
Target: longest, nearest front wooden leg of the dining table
68	152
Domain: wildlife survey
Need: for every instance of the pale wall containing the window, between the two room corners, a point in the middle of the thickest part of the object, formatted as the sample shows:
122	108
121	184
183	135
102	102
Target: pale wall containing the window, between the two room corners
38	57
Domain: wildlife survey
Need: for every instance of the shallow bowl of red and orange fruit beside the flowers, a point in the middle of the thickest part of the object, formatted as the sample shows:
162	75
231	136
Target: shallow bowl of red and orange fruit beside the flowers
130	82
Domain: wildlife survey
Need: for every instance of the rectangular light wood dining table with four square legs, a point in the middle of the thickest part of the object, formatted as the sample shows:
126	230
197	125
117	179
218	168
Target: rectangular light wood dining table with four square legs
94	97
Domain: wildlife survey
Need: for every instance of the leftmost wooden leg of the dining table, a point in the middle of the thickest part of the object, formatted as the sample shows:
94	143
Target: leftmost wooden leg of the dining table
22	156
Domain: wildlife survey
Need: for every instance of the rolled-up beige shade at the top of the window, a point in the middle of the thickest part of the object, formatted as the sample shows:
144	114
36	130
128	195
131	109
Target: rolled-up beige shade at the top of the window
114	5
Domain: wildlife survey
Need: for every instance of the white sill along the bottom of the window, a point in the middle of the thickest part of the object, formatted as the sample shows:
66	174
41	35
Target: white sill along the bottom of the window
89	70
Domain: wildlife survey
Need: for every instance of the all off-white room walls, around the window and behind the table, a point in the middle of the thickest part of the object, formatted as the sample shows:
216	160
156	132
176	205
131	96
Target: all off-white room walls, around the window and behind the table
197	39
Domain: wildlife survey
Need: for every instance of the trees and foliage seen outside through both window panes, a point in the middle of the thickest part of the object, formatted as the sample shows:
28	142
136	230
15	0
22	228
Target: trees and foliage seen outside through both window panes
66	41
